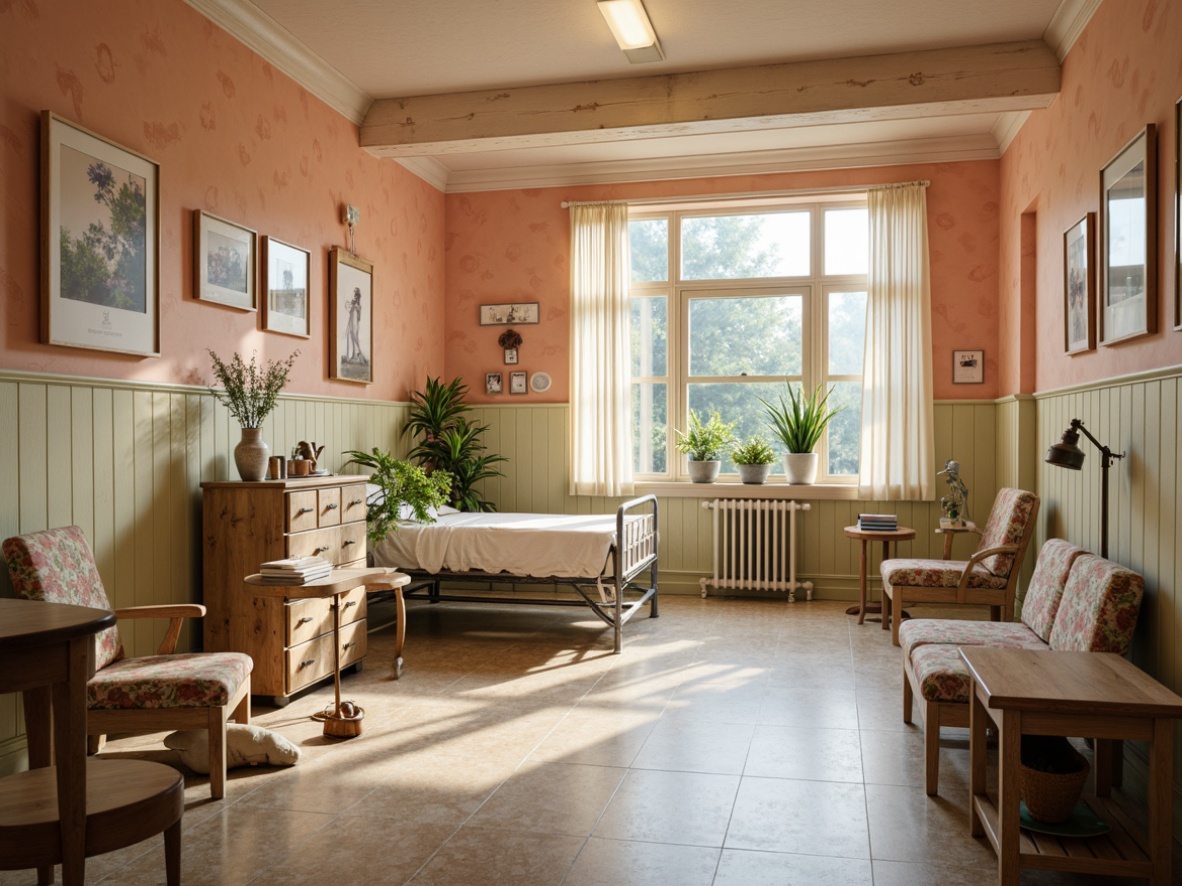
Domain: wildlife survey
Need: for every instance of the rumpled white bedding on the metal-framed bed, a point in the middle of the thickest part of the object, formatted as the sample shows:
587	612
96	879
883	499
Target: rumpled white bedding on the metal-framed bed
534	545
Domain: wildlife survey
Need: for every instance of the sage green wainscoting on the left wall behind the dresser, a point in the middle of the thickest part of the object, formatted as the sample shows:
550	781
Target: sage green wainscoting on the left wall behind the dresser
125	461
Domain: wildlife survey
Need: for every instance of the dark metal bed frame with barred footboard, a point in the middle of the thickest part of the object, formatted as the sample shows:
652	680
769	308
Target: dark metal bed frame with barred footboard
634	552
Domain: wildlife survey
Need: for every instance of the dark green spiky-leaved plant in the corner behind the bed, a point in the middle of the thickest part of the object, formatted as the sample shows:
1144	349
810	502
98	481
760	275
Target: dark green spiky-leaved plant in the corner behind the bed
449	441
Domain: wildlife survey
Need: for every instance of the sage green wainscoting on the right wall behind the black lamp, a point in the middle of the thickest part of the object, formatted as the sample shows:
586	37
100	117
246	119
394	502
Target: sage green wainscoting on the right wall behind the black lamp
1136	415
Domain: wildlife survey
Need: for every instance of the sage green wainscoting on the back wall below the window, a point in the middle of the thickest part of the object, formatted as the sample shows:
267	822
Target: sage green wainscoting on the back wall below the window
536	440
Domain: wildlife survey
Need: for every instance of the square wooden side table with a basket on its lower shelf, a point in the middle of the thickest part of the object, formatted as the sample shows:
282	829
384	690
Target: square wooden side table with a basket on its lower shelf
1097	695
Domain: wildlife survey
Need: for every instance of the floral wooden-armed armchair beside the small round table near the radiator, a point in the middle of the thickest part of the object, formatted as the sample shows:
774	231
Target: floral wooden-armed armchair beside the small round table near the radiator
990	577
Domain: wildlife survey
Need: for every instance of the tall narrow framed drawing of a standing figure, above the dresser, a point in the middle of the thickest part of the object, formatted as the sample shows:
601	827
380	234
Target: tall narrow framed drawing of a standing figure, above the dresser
350	317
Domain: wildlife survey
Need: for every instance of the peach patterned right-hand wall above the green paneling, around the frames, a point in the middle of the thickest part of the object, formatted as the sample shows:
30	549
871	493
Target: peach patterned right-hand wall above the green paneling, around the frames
1123	73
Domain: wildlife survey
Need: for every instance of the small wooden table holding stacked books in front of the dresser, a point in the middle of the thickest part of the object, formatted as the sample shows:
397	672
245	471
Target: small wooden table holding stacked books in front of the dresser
339	583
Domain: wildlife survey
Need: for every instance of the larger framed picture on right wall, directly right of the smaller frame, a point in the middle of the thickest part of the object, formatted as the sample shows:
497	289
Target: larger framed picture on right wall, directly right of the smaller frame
1128	245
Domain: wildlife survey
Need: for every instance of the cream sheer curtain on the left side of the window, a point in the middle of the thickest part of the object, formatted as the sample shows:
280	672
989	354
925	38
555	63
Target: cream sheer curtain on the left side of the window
601	392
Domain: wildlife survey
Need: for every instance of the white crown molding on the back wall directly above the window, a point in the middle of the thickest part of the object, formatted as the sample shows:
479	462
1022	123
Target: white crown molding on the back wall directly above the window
793	160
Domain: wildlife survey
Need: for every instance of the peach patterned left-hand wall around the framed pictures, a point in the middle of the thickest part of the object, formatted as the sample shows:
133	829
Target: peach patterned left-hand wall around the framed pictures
232	136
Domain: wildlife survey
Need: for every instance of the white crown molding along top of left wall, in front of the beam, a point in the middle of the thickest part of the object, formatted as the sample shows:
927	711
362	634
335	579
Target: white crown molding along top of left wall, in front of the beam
250	25
